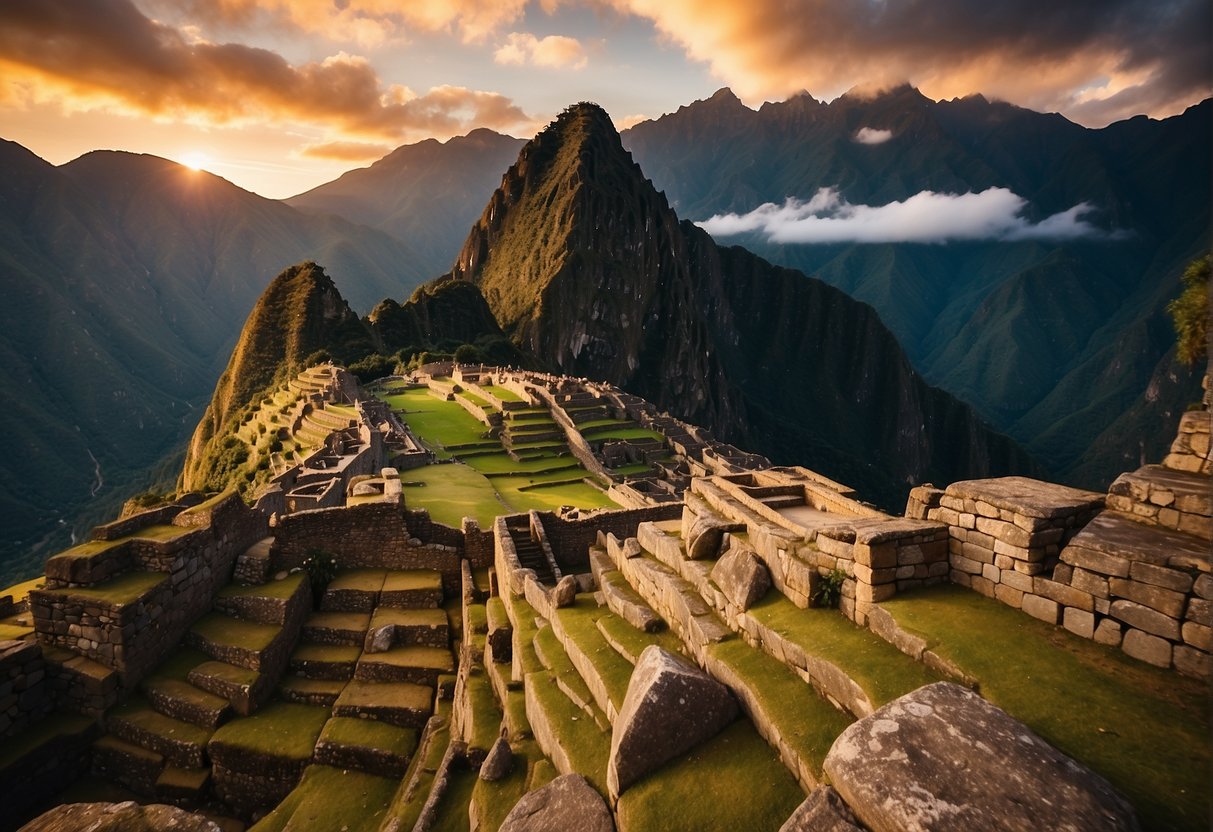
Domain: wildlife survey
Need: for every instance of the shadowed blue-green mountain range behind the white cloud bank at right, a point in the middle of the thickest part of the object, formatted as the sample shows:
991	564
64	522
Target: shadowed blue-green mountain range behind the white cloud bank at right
1053	341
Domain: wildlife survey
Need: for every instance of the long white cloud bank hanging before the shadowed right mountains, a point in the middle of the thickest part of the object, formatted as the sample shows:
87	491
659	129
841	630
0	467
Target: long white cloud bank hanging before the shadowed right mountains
994	214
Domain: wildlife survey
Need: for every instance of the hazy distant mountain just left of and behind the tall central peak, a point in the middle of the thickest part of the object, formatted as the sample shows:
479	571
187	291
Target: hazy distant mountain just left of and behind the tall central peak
429	193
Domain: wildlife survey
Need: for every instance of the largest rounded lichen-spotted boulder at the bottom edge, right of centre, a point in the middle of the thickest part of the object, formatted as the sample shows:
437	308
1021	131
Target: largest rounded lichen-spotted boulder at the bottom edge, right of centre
944	759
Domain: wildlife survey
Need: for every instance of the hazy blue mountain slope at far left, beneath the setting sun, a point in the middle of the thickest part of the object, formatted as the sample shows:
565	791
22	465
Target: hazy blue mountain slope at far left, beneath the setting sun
126	282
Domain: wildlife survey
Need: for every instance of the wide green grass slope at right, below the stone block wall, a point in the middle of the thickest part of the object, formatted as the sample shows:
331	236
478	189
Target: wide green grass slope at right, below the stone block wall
1147	731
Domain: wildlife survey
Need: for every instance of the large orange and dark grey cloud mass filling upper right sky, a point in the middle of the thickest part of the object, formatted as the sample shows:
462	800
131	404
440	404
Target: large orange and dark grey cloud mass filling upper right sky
1096	60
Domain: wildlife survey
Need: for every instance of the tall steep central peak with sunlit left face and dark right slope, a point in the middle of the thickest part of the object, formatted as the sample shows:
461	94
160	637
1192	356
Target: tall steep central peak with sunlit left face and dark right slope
585	265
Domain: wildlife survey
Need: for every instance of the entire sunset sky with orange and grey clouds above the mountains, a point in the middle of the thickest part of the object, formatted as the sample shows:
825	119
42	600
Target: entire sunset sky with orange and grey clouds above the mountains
280	96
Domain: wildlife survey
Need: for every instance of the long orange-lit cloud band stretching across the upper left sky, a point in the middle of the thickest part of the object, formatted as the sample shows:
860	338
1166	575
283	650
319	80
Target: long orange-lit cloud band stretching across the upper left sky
87	54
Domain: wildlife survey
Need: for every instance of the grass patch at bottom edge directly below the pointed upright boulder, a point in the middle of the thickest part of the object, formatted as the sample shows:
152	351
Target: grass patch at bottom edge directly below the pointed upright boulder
749	788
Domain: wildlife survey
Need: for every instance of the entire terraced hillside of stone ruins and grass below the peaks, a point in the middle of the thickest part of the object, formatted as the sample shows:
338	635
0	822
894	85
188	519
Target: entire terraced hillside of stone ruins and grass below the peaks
733	647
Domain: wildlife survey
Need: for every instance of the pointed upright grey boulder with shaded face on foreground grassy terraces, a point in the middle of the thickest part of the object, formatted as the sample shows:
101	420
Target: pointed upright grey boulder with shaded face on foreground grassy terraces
670	708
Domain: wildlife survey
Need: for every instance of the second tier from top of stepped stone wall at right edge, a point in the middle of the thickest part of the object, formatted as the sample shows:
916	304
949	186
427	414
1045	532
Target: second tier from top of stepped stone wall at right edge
1176	500
